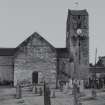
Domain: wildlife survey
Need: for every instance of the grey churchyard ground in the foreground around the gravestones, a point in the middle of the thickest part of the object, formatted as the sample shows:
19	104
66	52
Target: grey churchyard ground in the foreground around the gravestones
57	97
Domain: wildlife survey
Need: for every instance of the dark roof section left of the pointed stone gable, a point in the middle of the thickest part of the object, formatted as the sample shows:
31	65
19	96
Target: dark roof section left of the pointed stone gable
7	51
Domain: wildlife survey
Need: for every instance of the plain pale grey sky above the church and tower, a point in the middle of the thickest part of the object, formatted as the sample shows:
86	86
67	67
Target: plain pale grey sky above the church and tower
20	18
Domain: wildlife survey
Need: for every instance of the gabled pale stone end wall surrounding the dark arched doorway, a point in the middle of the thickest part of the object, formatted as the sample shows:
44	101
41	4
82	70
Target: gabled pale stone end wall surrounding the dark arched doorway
35	55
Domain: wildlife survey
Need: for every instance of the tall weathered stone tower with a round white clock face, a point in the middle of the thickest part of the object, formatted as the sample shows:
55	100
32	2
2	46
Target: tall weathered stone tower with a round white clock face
77	39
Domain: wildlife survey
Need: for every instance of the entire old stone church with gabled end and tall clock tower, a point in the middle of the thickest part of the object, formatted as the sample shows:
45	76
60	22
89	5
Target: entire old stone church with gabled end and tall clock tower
36	60
